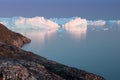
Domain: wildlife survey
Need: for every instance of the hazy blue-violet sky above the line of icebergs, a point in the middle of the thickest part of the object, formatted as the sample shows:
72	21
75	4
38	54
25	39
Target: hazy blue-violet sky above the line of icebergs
91	9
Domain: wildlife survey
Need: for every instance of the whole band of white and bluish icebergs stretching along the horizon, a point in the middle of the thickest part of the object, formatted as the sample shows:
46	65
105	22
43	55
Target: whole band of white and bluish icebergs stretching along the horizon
69	24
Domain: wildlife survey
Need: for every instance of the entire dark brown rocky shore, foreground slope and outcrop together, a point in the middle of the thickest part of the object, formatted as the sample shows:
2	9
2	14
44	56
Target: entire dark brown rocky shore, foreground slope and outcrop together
17	64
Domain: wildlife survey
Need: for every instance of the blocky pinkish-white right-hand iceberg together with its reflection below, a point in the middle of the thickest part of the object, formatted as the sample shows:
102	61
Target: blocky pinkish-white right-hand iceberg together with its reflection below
76	27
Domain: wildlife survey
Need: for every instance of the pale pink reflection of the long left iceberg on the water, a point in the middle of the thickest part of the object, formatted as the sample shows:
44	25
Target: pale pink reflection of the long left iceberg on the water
40	37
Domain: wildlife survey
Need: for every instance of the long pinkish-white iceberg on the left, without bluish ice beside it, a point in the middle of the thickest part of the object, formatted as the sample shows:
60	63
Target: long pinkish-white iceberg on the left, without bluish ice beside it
36	23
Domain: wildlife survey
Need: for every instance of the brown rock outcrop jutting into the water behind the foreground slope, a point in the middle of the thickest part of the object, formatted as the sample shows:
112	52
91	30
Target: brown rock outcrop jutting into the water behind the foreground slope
9	37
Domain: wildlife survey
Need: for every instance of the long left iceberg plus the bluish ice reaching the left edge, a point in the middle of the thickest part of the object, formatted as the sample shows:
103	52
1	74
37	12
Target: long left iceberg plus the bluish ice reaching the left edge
35	23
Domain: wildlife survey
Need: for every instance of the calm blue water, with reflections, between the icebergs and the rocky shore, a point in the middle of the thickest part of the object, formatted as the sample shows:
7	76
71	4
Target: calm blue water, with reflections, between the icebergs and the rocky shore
96	50
